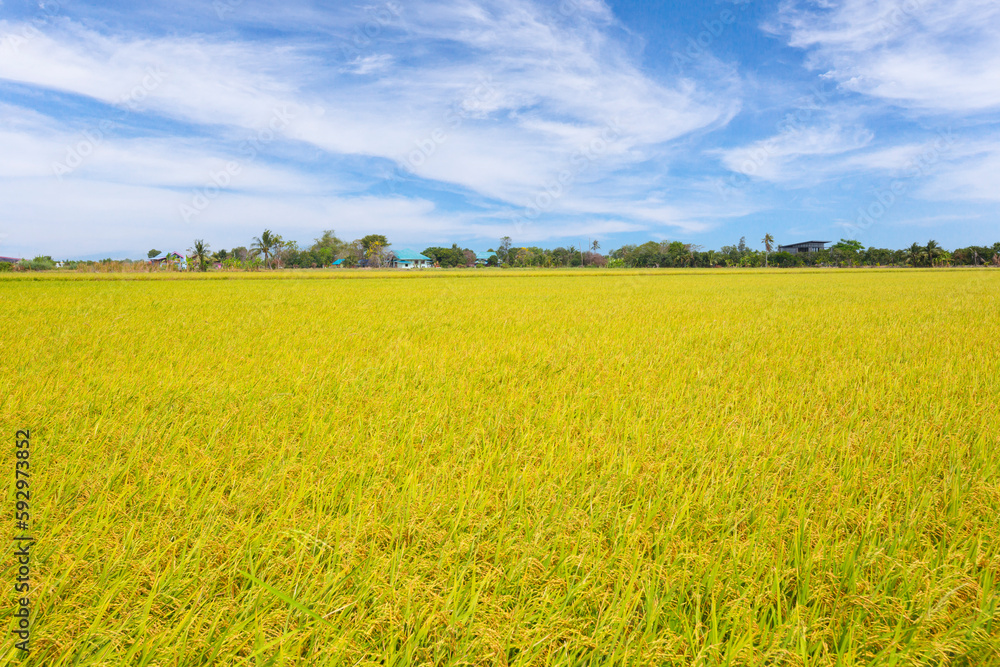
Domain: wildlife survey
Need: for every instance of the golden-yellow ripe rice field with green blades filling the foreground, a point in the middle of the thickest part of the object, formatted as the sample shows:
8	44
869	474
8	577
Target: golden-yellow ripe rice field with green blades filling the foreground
508	468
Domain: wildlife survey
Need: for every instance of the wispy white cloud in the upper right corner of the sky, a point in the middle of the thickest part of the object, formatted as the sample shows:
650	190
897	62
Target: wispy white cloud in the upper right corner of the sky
930	55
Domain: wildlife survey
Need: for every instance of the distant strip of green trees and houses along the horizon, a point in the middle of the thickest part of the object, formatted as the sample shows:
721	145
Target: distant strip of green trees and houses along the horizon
270	251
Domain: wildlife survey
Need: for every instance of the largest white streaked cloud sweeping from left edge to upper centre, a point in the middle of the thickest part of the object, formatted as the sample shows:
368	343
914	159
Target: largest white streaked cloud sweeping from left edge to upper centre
531	88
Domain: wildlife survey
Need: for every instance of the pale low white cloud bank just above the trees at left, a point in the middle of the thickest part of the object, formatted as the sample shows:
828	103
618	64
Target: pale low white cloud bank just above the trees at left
79	217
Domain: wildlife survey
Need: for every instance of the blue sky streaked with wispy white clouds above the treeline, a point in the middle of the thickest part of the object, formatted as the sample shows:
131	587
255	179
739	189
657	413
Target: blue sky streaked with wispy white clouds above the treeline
124	129
